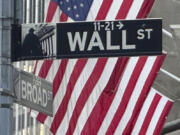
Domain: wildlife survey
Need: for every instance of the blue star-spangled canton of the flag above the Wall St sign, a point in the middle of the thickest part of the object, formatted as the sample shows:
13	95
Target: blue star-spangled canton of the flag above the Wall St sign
76	9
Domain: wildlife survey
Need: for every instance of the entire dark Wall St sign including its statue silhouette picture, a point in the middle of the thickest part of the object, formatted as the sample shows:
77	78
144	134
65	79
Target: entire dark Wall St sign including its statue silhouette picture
88	39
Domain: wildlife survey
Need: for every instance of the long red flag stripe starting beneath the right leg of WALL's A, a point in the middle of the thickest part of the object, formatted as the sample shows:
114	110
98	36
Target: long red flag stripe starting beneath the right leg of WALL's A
86	91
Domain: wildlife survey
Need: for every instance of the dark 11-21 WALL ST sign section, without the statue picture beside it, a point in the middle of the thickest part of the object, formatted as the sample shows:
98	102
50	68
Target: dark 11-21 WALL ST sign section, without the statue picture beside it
109	38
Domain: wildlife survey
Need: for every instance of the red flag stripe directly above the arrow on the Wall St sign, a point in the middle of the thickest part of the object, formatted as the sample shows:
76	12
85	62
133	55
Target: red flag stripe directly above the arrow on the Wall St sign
124	9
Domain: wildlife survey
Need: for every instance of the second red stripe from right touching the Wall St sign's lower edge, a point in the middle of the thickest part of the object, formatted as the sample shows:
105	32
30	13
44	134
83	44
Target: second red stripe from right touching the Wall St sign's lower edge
128	92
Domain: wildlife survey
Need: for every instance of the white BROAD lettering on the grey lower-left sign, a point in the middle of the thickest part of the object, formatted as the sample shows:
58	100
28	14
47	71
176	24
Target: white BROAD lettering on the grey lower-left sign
34	93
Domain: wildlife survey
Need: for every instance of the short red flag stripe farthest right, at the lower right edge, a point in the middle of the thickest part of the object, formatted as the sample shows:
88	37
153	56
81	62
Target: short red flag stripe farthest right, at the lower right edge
162	118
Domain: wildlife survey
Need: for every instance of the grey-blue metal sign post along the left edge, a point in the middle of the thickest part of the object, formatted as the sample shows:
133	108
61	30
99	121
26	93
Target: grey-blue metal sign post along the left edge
6	83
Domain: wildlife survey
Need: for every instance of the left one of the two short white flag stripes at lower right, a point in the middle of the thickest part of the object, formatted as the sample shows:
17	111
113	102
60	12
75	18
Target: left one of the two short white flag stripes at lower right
143	113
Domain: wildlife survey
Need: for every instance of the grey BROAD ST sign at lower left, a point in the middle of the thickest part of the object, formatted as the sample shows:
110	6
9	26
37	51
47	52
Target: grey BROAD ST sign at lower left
33	92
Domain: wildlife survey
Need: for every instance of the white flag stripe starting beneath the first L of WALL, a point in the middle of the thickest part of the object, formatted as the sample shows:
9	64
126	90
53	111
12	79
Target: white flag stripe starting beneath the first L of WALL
96	92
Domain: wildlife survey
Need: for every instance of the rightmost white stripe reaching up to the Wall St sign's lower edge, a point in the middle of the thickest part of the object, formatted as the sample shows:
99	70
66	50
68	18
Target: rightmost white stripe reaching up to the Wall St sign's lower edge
135	95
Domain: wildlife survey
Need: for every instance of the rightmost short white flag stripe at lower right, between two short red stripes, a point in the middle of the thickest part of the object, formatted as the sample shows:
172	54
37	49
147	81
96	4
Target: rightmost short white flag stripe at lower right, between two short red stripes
156	115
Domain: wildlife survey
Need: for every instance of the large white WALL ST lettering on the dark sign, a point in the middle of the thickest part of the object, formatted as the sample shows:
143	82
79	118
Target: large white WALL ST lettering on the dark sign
96	41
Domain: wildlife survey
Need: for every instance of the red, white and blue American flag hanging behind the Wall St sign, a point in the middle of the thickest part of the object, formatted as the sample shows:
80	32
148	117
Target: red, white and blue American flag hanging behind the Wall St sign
103	95
